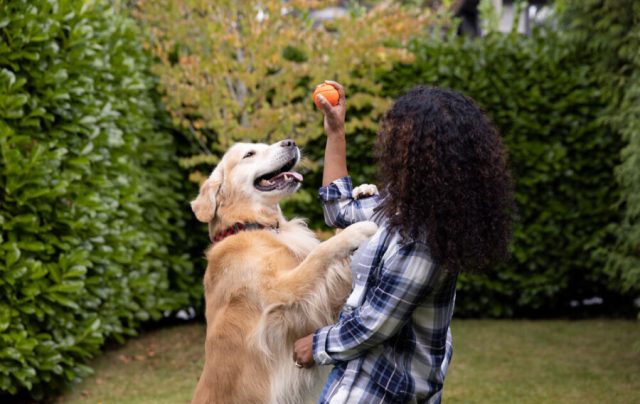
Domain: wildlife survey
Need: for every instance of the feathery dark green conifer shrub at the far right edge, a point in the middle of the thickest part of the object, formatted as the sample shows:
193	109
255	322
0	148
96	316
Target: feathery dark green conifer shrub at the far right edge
609	33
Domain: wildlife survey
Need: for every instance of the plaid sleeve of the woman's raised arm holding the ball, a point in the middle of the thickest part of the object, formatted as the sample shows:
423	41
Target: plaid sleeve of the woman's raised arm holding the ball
340	209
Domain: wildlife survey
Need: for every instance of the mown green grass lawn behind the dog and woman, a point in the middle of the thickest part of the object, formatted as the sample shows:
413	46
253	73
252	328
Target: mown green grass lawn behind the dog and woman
595	361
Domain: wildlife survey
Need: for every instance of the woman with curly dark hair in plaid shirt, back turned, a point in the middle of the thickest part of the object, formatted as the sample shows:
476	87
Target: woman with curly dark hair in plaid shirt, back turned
445	207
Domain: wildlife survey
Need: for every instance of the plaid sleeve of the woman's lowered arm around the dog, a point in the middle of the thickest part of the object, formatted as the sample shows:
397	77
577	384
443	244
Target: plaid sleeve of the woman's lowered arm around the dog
404	280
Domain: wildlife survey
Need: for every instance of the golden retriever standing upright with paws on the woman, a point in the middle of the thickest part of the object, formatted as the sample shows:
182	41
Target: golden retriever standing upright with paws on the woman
269	281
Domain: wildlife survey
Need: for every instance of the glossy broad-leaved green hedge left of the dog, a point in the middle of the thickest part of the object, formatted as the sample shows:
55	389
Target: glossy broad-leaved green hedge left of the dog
91	205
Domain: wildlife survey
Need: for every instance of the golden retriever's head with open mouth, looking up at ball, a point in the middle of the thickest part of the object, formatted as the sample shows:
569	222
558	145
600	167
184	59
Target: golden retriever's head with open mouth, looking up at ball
249	176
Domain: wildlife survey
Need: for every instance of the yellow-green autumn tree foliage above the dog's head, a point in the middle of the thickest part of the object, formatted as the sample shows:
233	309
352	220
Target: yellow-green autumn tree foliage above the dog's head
245	70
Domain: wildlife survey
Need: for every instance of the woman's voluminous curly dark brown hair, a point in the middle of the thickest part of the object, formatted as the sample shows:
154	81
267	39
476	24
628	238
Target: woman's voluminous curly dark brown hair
443	171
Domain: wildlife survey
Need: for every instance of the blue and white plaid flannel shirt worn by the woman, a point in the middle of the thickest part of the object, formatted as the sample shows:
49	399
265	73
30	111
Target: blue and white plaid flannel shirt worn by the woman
392	342
